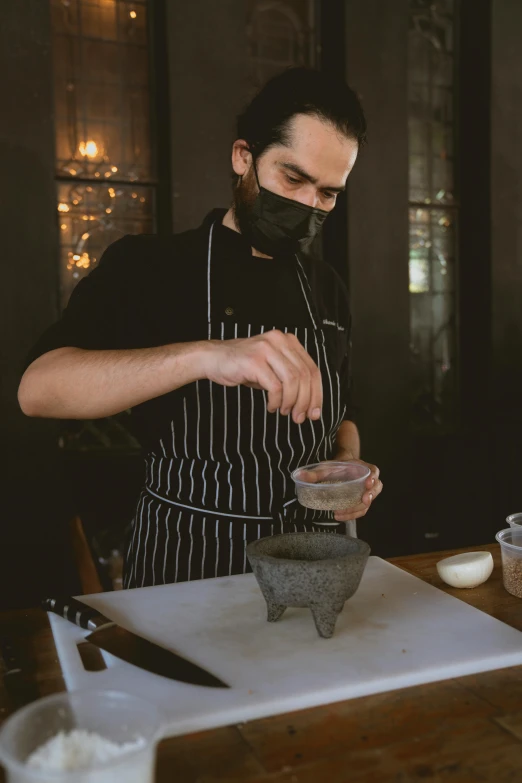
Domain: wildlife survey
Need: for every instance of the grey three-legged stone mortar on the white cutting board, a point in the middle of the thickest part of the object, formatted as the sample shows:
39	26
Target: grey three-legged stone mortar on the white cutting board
319	571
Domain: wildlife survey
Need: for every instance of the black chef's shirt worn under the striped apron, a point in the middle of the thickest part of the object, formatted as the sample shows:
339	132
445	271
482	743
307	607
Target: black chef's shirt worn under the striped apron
152	290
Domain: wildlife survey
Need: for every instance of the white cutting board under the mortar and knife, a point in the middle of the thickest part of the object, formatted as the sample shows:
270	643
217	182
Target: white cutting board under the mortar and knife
395	632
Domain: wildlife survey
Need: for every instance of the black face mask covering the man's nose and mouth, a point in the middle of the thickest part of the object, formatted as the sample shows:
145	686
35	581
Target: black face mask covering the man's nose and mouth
282	226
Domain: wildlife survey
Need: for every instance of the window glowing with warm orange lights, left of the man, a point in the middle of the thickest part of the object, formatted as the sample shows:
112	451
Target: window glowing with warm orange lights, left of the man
104	156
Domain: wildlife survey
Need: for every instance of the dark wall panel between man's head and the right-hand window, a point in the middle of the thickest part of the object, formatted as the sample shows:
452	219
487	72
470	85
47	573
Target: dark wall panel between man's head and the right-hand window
376	47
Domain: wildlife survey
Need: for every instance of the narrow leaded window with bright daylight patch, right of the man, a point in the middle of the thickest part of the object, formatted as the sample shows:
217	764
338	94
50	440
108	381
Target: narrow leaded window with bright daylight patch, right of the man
433	211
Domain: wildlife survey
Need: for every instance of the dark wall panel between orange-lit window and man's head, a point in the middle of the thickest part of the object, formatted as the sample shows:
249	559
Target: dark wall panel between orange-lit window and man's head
207	54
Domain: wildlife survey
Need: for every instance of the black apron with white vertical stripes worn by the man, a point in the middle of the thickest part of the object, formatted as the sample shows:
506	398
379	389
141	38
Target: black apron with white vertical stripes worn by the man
222	476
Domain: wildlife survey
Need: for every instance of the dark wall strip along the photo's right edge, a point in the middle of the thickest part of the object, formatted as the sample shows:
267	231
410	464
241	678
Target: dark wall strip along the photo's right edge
505	411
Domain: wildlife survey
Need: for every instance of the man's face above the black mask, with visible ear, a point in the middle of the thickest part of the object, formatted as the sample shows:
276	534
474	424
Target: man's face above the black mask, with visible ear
312	170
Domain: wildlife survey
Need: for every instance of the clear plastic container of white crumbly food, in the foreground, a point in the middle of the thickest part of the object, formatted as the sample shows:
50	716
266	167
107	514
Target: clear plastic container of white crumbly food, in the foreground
115	716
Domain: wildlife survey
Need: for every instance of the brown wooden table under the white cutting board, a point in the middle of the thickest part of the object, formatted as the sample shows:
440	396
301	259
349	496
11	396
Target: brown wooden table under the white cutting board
460	731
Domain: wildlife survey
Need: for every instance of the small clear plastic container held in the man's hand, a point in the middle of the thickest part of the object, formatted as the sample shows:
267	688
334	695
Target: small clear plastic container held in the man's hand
331	486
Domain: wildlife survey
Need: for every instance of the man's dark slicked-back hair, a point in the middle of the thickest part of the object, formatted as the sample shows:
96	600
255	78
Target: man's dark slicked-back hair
264	122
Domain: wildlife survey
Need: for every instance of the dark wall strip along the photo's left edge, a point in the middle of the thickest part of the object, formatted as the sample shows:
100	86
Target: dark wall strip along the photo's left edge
32	534
